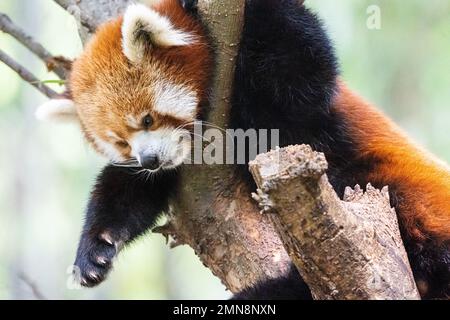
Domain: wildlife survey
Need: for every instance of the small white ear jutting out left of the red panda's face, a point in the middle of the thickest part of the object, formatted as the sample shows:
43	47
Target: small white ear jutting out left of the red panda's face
62	110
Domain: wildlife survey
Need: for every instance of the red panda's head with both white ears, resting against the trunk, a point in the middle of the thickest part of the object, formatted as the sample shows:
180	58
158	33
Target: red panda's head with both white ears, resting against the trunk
138	85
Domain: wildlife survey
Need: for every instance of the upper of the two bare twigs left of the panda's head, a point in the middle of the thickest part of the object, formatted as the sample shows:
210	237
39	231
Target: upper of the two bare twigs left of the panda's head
55	64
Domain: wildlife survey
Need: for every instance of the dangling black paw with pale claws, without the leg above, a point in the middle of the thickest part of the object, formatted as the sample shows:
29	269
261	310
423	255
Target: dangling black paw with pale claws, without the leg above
95	258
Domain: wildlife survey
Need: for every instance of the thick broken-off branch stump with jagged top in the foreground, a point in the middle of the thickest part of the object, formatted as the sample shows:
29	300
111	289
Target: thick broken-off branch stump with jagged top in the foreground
329	239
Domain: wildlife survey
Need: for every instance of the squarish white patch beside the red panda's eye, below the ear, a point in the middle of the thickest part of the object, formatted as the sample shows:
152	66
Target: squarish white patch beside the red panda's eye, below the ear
175	100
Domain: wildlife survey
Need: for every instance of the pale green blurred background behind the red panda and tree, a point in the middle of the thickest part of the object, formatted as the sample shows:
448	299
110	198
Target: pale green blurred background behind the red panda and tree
46	169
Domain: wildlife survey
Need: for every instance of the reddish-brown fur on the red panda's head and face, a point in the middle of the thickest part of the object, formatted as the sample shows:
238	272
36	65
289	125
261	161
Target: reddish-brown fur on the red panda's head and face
106	87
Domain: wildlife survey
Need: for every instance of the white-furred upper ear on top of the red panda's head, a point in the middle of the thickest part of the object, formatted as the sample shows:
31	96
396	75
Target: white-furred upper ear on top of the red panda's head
142	24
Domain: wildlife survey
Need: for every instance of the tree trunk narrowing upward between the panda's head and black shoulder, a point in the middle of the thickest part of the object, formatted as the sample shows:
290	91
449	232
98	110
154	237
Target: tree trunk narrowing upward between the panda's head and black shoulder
214	213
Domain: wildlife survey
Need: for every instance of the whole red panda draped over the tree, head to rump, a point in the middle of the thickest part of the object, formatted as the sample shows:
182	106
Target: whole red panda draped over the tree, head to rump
144	78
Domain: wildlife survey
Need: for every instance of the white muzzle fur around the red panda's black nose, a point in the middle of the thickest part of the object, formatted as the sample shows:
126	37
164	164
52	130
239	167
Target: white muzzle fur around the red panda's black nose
169	145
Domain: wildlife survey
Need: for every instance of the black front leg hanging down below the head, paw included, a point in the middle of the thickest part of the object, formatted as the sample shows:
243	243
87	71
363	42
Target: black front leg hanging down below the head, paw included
123	206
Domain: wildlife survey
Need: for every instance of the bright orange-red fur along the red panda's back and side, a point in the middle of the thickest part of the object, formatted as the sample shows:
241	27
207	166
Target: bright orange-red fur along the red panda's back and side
422	182
